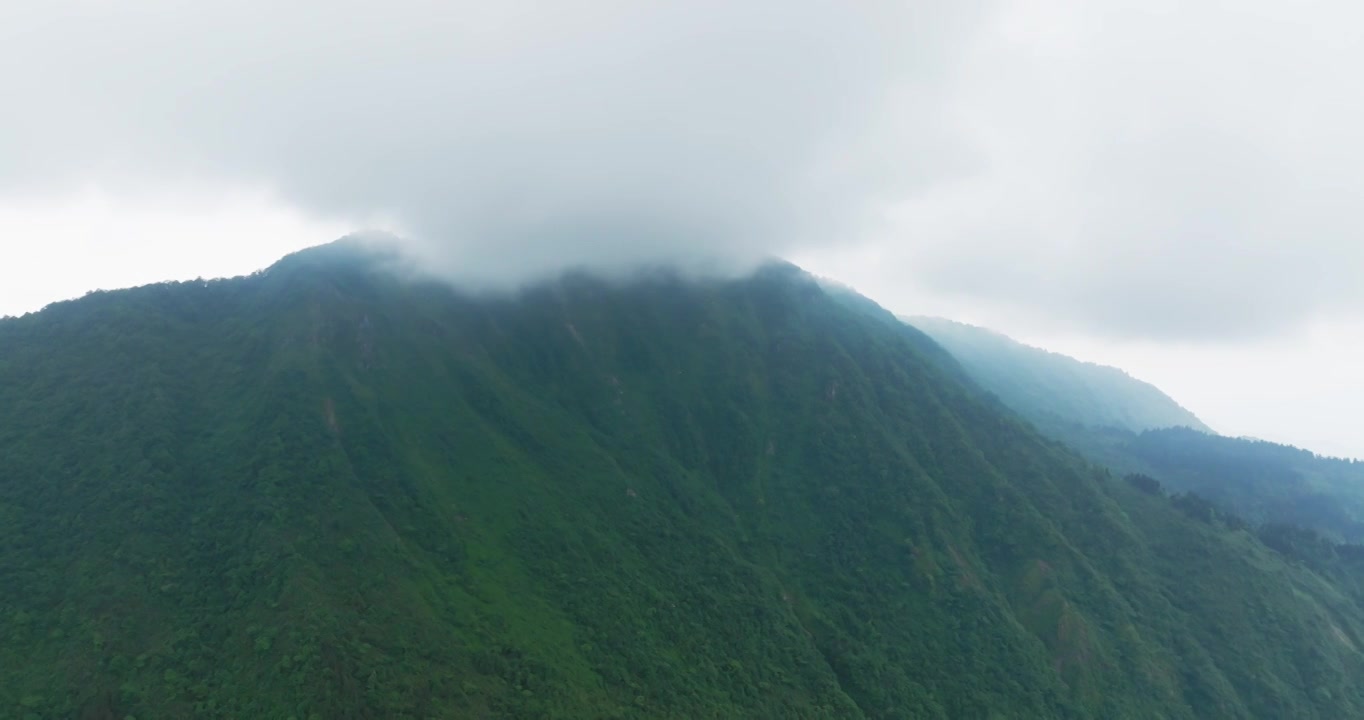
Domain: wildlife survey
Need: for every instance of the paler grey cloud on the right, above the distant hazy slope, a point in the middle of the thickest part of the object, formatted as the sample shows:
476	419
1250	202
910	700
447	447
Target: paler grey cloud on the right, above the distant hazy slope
1160	170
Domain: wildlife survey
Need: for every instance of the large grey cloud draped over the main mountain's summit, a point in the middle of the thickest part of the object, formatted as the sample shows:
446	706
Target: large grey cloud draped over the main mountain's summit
509	140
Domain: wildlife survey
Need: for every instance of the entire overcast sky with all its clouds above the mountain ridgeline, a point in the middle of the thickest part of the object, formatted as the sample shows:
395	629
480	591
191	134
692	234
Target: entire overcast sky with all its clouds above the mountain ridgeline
1164	186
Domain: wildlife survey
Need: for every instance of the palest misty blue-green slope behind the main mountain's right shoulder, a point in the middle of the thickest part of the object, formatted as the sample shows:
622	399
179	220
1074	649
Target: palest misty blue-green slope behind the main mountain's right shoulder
1052	389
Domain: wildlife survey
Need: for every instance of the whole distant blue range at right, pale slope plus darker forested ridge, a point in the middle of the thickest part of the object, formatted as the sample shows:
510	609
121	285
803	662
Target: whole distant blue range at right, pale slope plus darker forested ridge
1133	427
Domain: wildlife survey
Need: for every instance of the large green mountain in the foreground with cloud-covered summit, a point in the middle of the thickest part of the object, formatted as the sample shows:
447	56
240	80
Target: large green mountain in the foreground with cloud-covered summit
324	492
